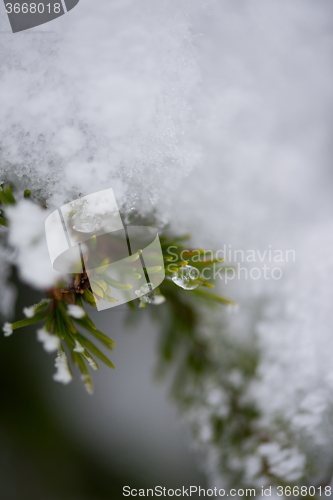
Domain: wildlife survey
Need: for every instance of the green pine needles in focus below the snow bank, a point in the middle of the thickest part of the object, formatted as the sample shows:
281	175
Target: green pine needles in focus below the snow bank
57	317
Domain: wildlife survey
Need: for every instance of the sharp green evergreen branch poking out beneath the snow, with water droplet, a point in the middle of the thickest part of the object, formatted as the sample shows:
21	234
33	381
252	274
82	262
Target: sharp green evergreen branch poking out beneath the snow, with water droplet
56	313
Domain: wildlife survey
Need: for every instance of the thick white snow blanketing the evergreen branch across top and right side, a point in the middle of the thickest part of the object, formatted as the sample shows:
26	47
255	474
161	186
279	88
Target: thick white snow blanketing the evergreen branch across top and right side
218	120
